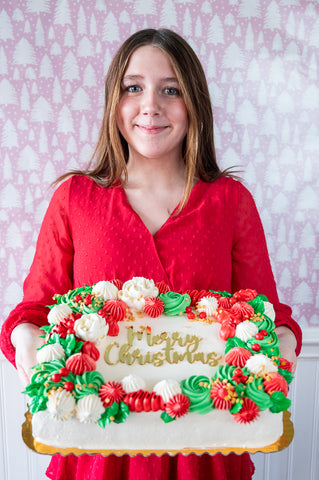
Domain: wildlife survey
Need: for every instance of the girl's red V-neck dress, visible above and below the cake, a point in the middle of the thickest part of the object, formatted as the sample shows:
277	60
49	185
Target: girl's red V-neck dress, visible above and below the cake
91	233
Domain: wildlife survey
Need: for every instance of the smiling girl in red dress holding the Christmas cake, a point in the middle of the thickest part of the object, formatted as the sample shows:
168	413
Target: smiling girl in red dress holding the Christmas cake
153	204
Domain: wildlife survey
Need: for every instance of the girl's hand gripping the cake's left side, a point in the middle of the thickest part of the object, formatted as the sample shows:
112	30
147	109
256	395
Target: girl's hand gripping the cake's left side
25	339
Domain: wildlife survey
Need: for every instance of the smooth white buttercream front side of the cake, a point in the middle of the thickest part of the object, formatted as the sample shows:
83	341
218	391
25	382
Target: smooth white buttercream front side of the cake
148	431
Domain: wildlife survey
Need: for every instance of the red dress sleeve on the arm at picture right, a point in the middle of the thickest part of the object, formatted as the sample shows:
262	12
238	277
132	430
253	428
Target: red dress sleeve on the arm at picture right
250	260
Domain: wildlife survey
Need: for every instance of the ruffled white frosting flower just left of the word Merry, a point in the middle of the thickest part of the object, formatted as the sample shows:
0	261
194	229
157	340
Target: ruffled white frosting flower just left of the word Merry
91	327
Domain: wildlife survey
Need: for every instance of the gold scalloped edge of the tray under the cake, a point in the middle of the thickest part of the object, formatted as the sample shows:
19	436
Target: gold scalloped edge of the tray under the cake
280	444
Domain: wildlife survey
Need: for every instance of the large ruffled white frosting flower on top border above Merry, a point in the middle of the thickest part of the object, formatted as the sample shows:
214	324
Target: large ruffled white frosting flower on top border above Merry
135	291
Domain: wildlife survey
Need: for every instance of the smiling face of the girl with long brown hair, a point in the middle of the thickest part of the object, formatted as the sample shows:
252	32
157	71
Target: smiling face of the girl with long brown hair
152	115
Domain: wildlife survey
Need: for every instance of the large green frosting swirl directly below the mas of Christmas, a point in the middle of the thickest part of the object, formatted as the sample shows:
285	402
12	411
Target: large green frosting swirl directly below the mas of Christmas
197	389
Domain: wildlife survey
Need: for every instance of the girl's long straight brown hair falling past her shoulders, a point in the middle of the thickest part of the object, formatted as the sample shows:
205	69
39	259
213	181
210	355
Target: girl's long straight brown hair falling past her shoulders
108	163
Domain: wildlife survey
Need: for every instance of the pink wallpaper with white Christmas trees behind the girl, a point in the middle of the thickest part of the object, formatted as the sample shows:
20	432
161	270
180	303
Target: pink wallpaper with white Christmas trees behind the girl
261	59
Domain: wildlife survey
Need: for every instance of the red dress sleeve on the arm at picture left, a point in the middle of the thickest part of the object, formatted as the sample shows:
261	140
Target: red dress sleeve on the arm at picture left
51	270
